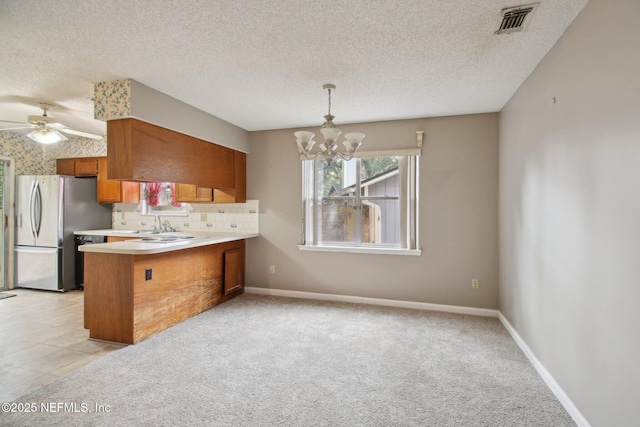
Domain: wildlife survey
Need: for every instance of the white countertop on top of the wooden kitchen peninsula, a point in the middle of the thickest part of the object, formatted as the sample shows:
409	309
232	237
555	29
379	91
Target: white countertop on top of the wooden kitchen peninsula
138	246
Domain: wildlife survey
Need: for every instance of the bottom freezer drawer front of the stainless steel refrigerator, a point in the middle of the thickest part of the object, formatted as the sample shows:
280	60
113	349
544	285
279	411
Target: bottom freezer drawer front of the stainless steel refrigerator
38	268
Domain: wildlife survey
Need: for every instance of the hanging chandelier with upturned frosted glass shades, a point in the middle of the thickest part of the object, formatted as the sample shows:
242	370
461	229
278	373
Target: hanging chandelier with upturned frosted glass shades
328	149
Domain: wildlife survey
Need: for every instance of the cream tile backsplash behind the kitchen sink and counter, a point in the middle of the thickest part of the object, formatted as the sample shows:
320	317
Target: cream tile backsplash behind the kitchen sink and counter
212	217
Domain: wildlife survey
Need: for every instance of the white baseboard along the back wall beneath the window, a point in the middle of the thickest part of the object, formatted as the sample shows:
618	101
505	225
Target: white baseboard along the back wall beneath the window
374	301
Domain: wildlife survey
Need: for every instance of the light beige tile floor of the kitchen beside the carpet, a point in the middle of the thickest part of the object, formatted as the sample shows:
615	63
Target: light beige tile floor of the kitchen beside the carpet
42	338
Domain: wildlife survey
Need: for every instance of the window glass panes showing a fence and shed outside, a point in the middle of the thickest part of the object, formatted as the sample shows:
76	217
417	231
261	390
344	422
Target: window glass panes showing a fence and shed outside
360	202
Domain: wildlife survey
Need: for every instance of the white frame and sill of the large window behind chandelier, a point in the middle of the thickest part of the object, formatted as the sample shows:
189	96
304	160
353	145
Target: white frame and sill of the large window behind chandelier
409	172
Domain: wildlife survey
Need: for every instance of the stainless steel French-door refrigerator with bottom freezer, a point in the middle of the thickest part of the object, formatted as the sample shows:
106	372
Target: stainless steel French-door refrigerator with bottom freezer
49	208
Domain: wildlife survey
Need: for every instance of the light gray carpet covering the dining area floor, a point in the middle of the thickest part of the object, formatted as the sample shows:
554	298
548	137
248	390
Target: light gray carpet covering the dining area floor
266	361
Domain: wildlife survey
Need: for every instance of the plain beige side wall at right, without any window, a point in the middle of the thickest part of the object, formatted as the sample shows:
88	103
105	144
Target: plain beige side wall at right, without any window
570	212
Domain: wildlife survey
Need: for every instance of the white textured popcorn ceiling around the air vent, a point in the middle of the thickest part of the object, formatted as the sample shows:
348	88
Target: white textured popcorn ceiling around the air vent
260	64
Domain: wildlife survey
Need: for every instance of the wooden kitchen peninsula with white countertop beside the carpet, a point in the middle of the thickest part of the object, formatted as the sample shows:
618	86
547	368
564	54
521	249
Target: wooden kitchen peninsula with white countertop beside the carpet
146	283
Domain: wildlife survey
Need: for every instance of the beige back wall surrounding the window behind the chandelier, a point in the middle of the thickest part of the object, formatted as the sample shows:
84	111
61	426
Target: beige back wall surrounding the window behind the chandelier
458	217
